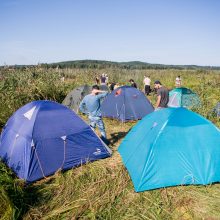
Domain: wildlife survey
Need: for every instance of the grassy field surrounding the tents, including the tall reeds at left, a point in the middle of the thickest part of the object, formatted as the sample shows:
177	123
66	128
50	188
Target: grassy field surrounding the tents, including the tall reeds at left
103	189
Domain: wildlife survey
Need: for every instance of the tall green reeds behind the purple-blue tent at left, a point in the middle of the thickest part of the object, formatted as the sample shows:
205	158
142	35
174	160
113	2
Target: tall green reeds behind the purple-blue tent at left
20	87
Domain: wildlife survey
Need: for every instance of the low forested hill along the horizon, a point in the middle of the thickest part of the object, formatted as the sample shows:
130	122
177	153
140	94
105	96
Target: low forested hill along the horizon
101	64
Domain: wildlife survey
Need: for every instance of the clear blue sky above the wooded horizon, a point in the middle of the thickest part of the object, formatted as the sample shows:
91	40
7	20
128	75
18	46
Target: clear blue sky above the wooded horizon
154	31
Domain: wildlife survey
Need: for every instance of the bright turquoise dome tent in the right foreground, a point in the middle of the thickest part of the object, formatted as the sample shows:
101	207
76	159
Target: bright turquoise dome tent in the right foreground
172	146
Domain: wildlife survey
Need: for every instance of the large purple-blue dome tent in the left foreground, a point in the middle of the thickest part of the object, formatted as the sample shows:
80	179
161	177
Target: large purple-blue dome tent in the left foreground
43	137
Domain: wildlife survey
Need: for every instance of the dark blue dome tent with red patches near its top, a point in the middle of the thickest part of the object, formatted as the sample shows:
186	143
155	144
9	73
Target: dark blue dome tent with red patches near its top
126	103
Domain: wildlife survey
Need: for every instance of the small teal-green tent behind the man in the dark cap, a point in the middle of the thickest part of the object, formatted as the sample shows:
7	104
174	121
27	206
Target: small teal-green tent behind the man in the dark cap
183	97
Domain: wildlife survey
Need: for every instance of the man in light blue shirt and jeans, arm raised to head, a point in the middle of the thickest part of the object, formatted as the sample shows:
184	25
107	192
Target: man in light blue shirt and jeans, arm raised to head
90	105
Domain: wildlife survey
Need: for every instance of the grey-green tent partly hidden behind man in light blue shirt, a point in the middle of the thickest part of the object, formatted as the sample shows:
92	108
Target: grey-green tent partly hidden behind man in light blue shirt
74	98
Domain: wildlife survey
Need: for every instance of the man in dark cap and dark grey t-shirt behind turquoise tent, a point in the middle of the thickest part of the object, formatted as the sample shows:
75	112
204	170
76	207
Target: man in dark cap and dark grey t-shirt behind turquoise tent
162	95
